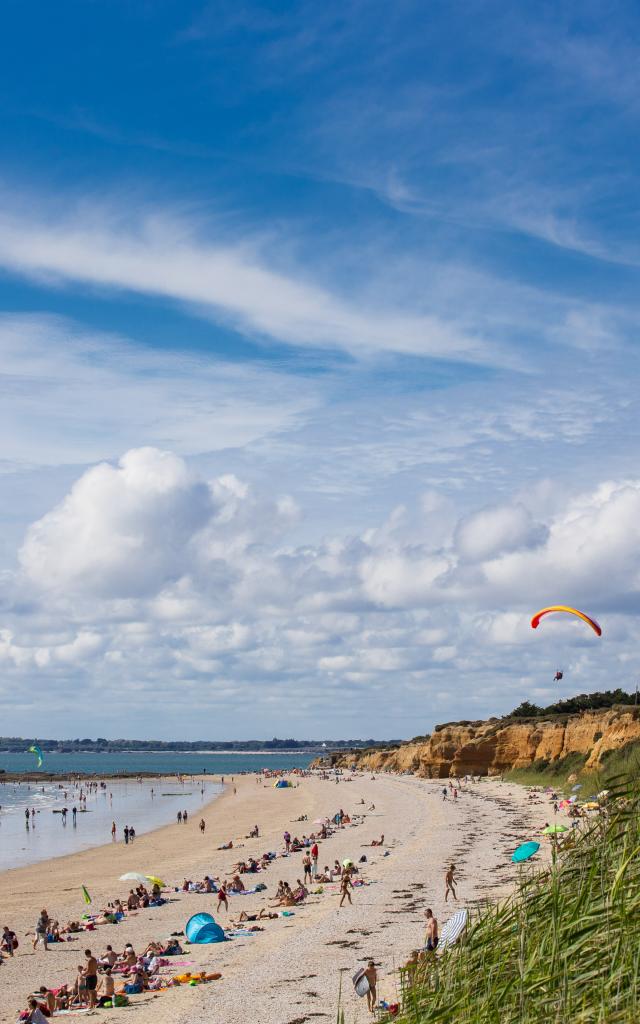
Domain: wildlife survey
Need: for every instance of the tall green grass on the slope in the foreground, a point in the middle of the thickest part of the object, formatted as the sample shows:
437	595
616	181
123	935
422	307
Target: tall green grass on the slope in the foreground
564	950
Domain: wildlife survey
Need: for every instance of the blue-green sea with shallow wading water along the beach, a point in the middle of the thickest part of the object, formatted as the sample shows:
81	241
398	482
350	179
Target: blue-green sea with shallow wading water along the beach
146	804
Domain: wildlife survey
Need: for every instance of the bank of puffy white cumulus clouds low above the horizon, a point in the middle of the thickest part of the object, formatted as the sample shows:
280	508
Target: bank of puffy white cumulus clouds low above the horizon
150	576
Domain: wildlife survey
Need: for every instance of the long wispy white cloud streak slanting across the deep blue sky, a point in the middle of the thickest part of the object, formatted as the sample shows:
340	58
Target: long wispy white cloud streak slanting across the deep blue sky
234	283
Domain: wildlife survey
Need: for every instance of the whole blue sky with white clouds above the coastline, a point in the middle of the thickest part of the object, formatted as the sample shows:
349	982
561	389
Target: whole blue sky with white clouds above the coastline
319	362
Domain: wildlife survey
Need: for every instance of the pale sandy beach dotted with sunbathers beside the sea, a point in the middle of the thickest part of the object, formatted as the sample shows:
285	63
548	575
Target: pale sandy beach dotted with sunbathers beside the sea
291	971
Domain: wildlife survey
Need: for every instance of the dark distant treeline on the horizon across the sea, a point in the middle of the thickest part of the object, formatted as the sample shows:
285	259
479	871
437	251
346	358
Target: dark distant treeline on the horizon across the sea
18	745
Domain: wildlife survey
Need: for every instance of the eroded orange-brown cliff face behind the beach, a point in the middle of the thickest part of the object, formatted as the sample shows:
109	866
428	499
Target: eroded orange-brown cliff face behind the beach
495	747
